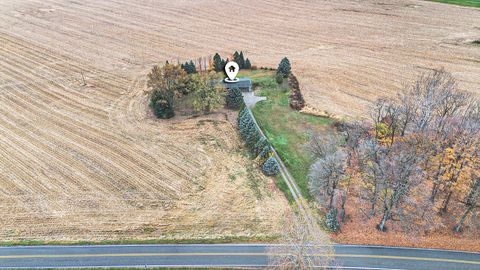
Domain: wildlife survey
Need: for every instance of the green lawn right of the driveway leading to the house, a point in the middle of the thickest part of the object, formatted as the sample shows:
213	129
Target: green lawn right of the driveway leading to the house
287	130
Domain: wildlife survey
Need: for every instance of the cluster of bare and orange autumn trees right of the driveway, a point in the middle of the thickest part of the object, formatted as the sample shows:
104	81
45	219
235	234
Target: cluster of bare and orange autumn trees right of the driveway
416	160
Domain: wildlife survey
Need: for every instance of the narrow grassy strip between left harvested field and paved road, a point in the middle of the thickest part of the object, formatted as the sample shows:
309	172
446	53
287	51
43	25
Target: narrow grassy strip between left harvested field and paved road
223	240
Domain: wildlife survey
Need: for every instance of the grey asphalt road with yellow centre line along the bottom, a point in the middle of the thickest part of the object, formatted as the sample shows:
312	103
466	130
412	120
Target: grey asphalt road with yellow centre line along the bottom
228	255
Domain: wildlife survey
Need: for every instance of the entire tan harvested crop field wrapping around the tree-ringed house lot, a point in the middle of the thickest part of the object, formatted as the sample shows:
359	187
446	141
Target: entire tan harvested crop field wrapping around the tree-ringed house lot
90	162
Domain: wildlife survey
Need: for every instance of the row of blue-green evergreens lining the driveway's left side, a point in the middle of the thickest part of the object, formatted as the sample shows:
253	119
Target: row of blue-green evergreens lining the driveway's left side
257	143
